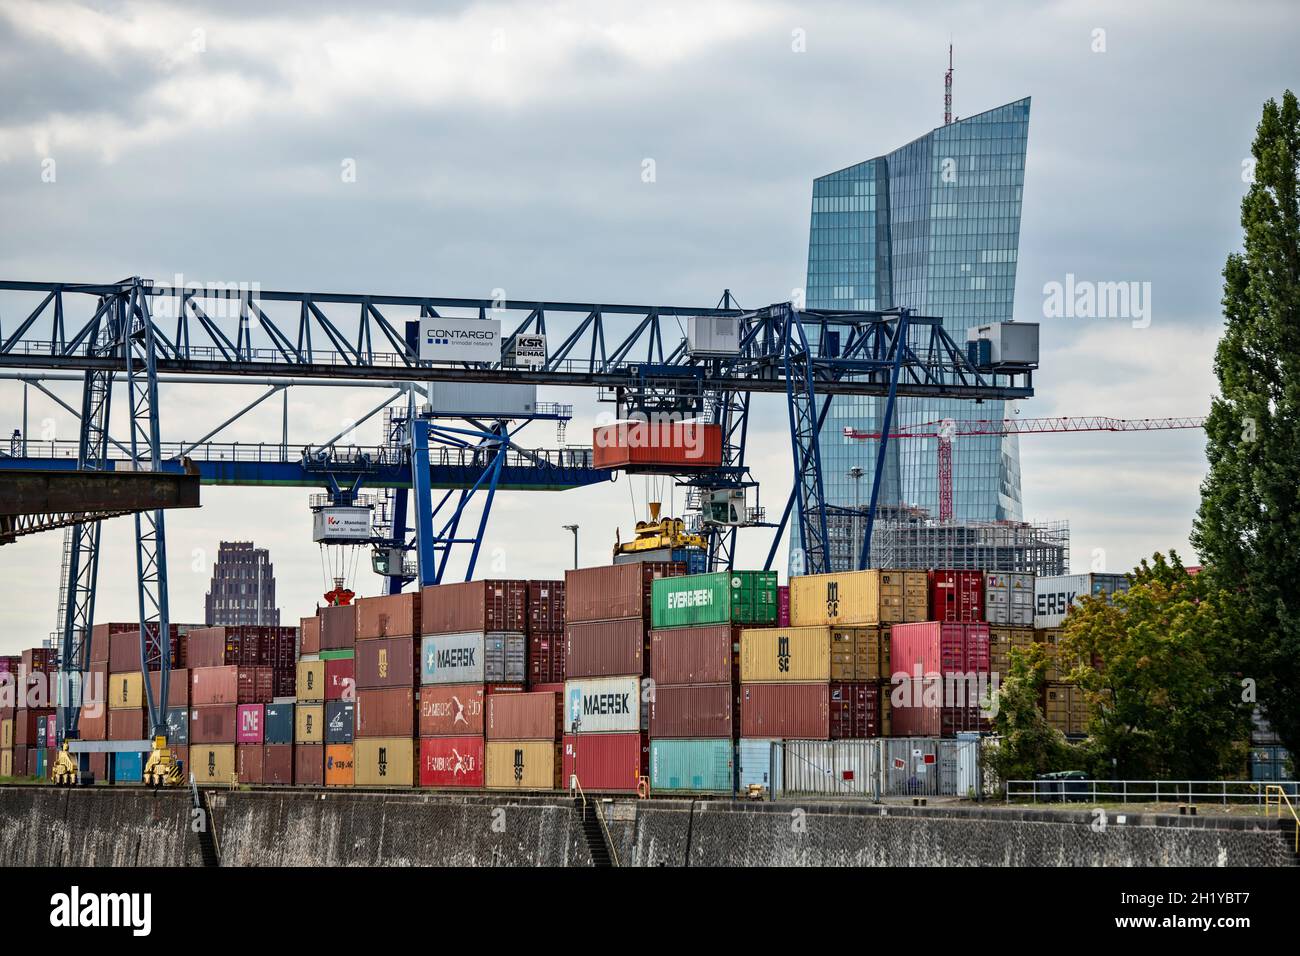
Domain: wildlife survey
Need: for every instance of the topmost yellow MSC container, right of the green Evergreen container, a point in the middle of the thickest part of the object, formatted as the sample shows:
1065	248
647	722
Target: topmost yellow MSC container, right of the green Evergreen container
859	598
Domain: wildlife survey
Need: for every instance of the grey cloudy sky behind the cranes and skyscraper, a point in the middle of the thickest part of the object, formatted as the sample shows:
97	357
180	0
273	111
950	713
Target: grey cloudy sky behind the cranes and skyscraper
502	145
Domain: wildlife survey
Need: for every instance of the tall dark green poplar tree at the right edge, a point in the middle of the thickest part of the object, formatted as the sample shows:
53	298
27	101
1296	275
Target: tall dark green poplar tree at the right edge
1249	527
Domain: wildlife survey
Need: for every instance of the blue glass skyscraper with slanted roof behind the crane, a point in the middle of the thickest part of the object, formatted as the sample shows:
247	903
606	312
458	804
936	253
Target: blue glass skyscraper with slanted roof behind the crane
934	227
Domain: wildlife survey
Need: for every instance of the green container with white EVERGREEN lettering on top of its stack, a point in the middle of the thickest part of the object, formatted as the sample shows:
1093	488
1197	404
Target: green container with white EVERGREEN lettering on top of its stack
726	598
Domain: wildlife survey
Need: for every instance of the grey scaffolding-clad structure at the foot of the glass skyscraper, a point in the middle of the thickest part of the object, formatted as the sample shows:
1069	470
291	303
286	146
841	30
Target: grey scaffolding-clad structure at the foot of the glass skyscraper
909	538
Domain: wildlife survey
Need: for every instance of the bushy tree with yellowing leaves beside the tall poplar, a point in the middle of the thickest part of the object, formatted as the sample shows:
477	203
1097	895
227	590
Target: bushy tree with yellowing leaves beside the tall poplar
1160	671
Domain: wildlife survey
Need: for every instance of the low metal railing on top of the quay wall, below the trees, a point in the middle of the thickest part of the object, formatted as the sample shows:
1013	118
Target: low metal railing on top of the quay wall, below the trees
1145	791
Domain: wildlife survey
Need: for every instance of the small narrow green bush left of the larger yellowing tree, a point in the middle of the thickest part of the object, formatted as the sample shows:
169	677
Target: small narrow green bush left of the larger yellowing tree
1028	743
